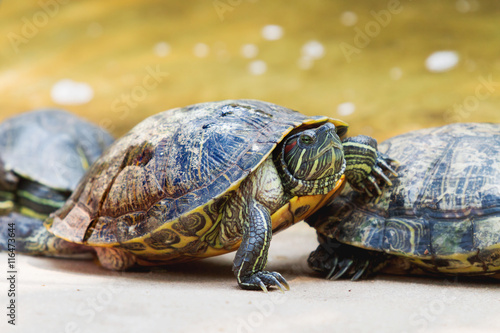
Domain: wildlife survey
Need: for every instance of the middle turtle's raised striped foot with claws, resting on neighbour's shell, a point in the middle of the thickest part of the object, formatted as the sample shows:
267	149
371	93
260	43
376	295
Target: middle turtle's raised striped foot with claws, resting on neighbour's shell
365	165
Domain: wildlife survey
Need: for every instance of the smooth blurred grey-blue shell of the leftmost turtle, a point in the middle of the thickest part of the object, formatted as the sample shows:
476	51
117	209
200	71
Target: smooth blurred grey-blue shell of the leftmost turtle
51	147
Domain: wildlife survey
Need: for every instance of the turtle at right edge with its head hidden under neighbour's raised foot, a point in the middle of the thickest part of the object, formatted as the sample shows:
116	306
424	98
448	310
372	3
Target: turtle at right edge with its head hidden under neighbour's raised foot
441	216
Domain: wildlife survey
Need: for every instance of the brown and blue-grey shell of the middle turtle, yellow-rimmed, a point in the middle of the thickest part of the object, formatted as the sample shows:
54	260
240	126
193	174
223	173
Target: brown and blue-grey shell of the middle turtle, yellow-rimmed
157	188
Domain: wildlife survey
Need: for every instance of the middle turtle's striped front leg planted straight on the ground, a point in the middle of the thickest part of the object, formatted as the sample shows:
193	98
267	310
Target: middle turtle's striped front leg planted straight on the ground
251	257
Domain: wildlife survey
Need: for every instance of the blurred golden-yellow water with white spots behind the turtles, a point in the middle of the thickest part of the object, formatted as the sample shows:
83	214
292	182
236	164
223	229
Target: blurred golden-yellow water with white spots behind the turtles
385	67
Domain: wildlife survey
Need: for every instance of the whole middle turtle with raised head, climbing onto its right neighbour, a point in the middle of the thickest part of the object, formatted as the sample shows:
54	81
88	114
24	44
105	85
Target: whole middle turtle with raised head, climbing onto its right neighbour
208	179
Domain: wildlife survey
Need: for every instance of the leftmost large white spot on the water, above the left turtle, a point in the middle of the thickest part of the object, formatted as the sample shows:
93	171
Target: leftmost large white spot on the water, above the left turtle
69	92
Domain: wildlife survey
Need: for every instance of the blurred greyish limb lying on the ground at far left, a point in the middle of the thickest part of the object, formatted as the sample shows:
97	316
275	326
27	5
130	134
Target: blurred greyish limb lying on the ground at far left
27	235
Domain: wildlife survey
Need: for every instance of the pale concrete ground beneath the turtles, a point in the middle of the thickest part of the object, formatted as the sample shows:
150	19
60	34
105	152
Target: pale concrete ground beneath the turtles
56	295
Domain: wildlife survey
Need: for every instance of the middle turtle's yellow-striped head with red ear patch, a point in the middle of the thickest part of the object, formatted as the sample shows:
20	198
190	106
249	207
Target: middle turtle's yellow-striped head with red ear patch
312	160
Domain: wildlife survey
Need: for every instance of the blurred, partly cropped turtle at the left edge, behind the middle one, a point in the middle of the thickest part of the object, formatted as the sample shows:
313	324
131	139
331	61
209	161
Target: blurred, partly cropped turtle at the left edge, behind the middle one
43	155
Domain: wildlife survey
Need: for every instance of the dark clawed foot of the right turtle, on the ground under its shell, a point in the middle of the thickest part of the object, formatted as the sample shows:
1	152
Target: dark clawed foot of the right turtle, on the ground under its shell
344	261
